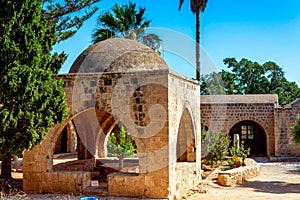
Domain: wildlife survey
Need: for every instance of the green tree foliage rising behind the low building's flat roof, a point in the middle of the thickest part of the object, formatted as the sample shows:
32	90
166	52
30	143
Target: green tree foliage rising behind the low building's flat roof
248	77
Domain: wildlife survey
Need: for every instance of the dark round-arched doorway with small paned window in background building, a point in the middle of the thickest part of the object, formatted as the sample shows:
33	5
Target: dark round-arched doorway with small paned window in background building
252	135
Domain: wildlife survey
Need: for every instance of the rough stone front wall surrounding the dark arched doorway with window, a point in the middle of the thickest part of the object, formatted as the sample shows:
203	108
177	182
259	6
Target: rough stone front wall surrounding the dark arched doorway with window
222	112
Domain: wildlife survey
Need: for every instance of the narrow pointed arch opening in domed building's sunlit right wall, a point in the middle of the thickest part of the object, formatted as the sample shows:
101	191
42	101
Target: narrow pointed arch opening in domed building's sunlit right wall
185	147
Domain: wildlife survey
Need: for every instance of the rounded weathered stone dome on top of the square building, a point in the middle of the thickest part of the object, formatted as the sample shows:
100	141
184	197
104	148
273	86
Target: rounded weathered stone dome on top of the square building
117	55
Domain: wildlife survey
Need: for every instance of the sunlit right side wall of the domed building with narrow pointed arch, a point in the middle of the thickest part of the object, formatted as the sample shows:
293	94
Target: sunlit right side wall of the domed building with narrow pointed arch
184	115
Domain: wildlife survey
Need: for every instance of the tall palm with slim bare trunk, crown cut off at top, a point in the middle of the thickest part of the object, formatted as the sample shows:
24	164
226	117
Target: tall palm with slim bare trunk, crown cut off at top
197	6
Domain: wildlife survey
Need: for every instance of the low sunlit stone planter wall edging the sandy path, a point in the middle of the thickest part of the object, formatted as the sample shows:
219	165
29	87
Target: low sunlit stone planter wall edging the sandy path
239	175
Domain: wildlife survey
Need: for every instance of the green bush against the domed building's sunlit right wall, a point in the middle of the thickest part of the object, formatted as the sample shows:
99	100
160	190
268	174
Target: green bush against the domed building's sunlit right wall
216	145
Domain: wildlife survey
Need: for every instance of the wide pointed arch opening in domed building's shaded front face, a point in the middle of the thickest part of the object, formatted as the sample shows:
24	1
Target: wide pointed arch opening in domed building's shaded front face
92	127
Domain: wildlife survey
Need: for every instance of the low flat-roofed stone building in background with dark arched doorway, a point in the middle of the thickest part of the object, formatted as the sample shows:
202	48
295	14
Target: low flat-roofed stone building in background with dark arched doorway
262	124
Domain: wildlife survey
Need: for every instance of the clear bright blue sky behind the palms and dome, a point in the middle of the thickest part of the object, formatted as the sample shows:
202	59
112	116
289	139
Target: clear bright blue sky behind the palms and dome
260	30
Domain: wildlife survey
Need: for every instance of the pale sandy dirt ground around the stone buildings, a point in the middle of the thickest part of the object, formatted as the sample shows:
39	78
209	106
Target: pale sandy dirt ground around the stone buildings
280	180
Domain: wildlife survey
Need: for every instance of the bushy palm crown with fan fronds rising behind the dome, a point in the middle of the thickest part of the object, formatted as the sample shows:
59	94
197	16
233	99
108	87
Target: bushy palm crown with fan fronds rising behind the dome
124	21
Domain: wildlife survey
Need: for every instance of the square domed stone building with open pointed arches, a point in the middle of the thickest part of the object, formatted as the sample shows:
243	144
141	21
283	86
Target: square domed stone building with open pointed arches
120	82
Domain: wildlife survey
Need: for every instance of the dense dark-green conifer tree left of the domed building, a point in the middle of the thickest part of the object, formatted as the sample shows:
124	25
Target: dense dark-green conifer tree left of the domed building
31	100
